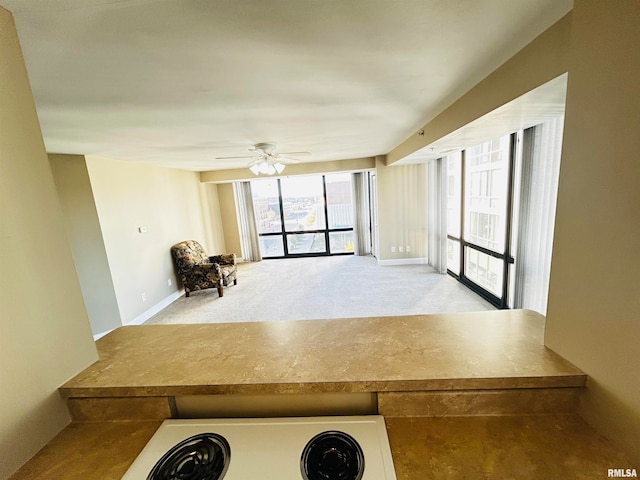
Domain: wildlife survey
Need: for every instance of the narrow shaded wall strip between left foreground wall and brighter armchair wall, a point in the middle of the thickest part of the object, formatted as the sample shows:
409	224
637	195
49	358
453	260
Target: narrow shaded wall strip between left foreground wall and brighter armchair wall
85	237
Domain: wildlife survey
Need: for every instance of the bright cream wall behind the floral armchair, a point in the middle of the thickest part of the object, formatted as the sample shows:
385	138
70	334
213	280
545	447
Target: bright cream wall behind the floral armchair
168	204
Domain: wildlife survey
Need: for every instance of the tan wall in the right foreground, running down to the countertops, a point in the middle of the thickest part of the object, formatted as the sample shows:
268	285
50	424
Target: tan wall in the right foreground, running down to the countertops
594	304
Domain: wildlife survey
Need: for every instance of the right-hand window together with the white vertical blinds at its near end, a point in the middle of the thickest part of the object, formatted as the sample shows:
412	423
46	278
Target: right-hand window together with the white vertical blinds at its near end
500	201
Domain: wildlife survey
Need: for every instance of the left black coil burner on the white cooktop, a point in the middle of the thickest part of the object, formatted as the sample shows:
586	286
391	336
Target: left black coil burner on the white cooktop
201	457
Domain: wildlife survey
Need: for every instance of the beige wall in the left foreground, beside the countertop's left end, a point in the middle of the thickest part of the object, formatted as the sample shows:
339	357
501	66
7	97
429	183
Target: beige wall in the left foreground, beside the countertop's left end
45	335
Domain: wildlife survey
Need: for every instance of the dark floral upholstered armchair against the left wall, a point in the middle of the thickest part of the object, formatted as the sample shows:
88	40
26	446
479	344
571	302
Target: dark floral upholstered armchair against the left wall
199	271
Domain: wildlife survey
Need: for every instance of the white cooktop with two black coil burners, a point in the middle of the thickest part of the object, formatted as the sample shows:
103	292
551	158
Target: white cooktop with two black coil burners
302	448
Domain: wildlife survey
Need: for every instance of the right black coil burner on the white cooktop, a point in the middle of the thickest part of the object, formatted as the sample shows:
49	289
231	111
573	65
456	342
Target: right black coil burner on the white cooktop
332	455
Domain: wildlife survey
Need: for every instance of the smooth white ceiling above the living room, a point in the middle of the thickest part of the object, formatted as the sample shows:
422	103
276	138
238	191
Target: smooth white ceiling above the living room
178	83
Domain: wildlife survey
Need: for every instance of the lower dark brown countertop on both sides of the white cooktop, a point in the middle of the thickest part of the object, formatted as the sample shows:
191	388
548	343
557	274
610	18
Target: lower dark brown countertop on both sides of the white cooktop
541	447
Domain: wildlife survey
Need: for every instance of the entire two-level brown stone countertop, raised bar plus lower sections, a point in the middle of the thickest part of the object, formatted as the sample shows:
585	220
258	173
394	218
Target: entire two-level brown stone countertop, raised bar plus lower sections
477	379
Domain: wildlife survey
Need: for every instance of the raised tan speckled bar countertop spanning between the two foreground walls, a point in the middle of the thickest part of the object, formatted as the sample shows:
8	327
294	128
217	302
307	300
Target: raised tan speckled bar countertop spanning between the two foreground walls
497	349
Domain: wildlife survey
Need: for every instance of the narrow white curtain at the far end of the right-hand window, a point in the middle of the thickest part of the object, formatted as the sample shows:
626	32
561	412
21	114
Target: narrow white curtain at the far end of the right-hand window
437	214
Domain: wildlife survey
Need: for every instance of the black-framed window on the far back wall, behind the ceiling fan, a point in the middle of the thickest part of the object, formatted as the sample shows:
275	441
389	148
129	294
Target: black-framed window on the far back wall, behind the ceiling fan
304	215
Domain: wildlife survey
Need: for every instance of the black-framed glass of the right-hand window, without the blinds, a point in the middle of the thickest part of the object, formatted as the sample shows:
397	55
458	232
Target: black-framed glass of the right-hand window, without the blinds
478	216
